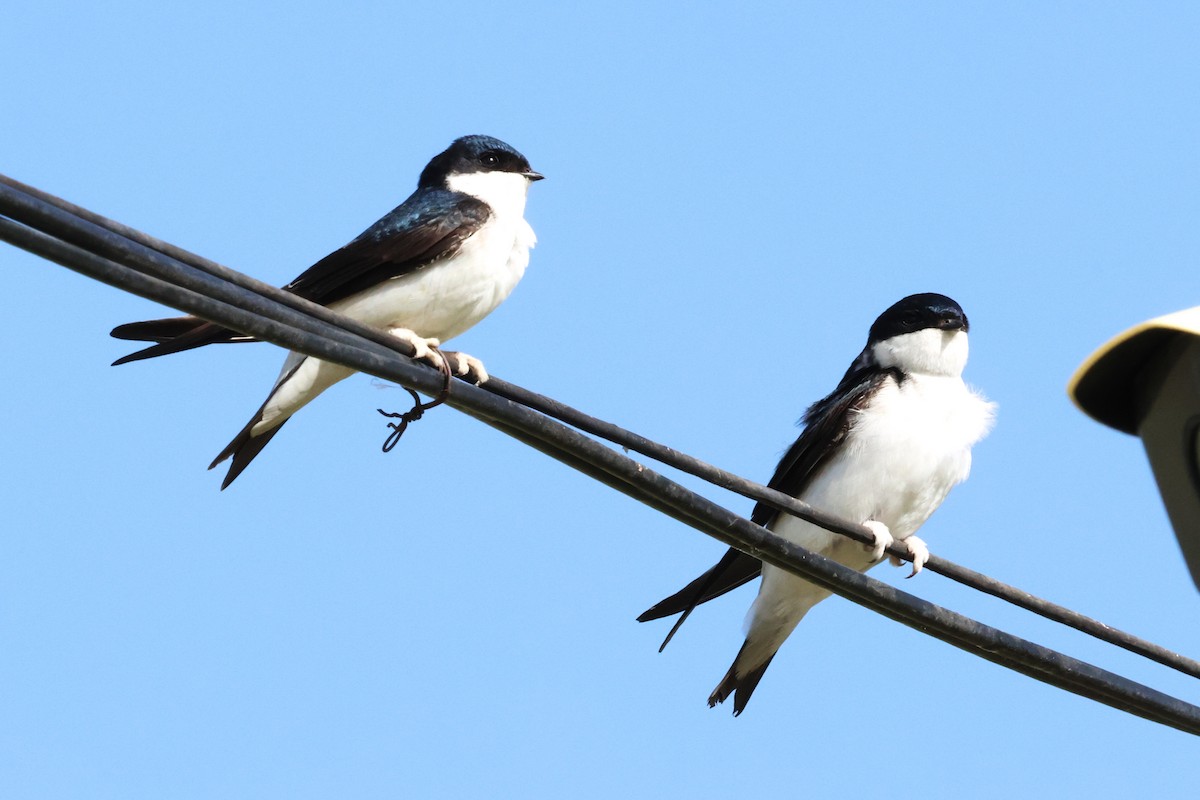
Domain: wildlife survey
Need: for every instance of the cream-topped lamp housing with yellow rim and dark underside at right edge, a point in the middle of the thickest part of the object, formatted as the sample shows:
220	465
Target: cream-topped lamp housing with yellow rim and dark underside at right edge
1147	382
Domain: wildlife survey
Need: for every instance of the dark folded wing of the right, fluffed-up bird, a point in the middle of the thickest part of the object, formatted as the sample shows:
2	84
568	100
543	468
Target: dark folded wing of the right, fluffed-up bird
826	425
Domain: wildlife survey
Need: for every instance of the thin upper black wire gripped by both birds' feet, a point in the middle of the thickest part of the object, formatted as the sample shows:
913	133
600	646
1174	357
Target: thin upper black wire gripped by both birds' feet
639	444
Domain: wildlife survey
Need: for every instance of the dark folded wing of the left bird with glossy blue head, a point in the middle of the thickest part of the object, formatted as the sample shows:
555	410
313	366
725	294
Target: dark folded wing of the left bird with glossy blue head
428	227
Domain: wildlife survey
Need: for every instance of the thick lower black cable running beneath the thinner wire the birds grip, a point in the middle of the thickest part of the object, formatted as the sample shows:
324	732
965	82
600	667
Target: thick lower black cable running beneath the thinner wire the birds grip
621	473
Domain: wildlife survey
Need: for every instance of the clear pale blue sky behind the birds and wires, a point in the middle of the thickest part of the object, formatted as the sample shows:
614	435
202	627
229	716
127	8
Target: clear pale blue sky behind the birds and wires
731	200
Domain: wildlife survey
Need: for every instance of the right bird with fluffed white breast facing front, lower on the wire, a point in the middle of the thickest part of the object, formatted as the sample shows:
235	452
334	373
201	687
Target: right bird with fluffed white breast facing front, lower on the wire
884	449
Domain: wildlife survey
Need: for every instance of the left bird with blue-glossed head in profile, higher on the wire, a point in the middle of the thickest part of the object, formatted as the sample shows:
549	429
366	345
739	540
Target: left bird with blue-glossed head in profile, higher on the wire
428	272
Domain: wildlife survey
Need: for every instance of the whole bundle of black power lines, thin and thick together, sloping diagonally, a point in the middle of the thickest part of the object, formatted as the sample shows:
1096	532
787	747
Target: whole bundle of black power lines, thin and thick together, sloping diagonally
135	262
